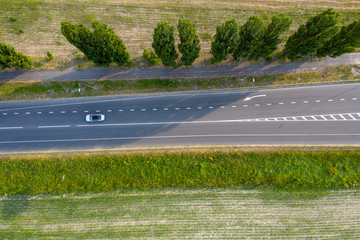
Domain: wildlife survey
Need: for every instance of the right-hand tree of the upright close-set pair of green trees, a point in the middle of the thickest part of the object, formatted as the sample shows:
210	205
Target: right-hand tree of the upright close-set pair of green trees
189	41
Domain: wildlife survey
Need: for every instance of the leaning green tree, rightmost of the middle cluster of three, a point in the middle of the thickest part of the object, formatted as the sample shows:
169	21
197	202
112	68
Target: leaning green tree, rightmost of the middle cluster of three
270	41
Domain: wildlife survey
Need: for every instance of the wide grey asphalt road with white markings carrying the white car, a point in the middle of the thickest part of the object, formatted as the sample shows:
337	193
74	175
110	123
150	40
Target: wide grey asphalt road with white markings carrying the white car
328	114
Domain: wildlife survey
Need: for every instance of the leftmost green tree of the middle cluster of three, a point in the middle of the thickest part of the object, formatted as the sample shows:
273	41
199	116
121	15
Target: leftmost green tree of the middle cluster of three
225	40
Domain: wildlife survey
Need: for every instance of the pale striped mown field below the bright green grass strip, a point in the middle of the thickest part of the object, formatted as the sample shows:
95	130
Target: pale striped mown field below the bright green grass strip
230	213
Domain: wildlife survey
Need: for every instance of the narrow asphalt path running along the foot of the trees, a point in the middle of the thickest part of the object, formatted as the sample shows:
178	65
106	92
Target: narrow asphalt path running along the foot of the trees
162	72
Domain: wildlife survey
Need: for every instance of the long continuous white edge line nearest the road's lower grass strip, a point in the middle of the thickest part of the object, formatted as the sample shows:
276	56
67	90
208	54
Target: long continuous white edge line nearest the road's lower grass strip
185	136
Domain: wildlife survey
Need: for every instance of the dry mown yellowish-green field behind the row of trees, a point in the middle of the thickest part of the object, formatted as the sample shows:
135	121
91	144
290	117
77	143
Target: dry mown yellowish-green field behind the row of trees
33	26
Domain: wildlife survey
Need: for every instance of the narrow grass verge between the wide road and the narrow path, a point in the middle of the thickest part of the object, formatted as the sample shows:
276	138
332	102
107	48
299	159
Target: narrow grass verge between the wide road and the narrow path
17	90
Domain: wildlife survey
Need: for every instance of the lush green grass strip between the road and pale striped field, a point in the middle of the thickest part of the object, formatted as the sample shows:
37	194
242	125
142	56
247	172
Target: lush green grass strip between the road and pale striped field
99	173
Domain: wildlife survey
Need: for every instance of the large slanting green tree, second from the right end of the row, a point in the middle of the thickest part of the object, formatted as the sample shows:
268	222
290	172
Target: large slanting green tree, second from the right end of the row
310	37
